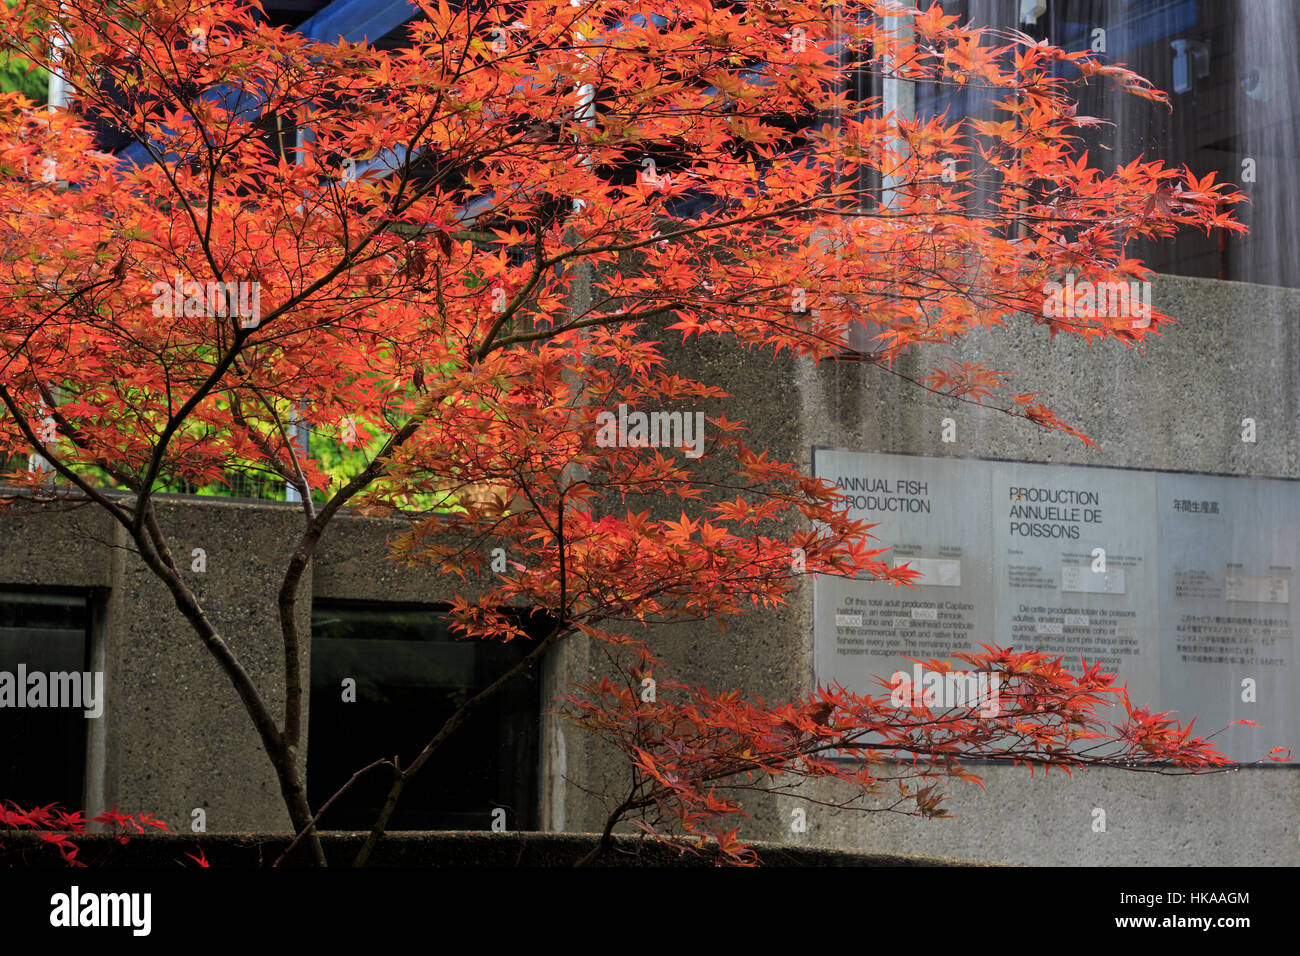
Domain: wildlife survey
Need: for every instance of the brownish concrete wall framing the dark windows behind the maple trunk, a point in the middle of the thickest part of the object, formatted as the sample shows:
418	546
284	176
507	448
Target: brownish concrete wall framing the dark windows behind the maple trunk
175	736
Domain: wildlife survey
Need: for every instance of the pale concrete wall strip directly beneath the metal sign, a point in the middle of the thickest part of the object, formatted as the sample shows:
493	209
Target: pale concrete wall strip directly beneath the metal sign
1240	819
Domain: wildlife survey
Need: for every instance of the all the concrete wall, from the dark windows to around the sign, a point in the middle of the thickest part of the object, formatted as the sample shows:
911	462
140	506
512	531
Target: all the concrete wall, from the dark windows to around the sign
176	738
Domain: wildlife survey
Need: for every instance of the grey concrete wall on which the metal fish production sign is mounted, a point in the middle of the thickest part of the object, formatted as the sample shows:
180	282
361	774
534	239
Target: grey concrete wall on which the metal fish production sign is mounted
1236	354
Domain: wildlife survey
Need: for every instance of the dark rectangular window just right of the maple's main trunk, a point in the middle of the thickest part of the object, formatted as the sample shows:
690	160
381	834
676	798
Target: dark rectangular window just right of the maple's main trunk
411	676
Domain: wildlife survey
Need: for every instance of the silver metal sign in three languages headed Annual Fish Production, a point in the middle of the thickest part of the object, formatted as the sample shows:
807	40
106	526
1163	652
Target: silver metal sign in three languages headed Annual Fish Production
1178	583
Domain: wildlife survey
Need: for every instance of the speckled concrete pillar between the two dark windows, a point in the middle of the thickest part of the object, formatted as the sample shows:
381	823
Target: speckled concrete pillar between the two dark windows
181	738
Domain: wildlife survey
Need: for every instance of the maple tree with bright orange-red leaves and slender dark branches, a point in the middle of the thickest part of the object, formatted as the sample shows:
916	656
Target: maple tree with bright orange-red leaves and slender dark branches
466	265
